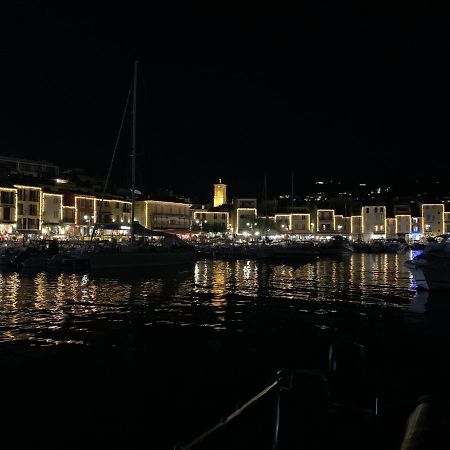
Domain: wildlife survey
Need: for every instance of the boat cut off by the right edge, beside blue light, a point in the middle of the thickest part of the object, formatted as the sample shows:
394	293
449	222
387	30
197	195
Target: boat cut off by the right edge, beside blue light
431	268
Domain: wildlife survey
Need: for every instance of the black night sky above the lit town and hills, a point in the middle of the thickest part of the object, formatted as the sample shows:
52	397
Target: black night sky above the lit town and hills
355	92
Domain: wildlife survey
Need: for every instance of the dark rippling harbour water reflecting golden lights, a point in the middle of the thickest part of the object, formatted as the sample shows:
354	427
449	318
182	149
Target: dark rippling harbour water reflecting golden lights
158	357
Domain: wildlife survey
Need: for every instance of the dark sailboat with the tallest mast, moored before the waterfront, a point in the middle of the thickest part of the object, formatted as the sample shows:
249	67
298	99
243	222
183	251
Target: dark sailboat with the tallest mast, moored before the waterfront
172	251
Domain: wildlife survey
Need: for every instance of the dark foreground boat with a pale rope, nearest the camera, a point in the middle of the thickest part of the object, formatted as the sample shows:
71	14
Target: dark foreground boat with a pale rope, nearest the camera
338	407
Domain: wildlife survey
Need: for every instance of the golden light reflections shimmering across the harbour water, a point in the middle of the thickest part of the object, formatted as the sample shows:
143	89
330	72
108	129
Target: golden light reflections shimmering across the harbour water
54	308
